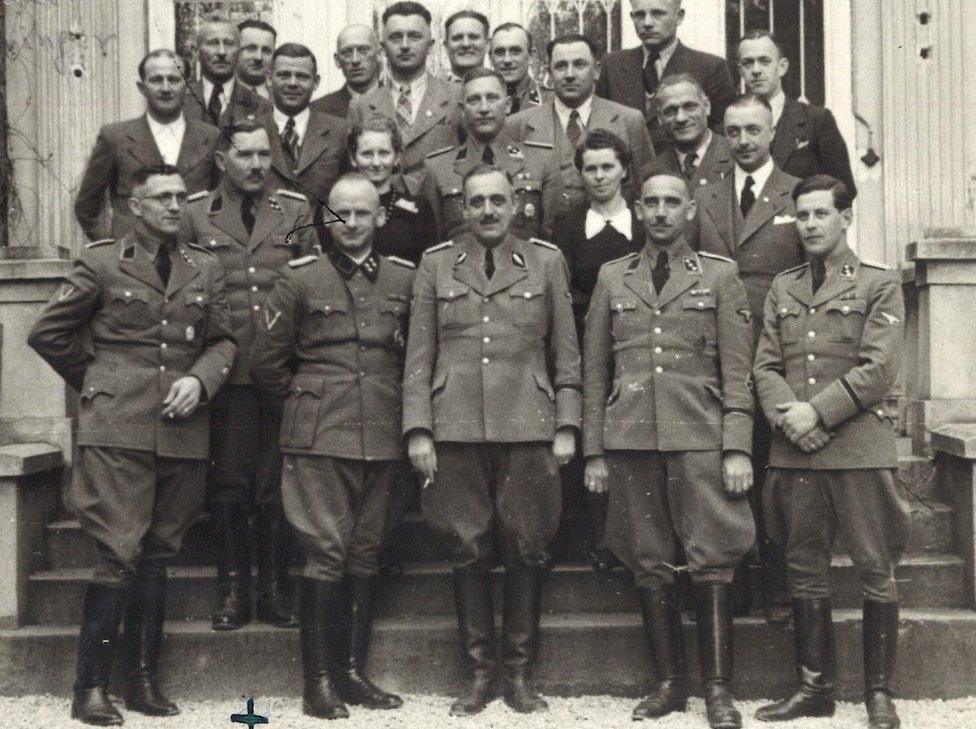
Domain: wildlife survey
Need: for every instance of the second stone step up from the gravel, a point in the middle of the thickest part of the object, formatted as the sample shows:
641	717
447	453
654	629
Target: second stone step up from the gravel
55	597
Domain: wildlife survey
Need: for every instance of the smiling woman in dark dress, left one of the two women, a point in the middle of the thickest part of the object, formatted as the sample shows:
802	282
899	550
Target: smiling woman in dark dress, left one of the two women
374	149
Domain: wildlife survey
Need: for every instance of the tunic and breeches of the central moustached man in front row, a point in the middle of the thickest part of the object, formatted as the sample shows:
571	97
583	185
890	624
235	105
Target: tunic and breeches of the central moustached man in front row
492	372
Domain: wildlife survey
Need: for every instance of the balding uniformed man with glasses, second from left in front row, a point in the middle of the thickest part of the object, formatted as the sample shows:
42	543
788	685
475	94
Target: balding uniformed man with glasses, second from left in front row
332	347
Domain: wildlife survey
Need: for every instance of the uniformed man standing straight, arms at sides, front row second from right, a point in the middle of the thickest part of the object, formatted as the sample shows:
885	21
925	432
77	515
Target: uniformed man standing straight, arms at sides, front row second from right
668	429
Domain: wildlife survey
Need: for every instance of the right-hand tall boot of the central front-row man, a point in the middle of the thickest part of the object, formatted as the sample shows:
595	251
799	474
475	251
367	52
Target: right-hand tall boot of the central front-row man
520	636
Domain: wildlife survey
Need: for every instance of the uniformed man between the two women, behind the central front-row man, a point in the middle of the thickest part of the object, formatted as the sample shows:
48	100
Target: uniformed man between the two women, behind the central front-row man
483	141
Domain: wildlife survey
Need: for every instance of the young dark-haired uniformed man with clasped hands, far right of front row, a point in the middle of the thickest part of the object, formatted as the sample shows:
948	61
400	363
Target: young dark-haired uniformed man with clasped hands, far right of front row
827	358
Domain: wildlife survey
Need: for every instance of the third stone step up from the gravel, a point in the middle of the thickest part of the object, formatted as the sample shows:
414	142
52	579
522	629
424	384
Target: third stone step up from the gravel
68	546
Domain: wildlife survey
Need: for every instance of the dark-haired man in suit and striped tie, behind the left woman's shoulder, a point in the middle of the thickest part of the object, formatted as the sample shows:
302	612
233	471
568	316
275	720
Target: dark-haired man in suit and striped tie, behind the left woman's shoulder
306	146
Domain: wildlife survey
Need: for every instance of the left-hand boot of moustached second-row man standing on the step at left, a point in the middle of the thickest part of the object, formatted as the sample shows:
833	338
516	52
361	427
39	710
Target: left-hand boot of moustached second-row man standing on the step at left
231	532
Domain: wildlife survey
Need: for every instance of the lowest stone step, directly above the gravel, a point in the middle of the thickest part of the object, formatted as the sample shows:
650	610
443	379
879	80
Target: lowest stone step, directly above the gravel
580	654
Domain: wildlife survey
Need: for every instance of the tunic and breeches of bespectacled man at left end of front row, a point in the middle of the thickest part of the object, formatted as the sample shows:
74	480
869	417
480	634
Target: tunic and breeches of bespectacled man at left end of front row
139	479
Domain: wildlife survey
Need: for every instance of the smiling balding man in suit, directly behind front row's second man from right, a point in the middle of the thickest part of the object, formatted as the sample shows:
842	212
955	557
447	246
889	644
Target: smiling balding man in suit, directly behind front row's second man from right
695	152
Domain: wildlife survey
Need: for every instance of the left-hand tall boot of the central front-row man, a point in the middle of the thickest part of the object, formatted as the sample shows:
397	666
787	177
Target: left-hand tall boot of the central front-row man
476	625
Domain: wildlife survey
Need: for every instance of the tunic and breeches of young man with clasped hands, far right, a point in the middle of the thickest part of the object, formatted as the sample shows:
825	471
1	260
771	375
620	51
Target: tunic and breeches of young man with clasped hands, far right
840	350
